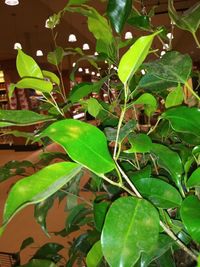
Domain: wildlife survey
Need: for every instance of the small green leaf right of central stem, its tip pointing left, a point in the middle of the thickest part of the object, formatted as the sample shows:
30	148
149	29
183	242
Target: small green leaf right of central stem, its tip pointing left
140	143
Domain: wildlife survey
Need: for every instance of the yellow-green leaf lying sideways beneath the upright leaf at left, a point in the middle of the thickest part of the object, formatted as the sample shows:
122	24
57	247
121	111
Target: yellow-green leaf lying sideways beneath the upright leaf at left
31	83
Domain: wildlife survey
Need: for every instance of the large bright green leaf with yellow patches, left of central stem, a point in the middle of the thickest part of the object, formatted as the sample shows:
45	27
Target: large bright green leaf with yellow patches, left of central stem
83	142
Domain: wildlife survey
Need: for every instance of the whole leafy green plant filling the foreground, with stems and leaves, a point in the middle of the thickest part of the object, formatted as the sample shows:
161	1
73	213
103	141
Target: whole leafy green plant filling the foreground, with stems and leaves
142	157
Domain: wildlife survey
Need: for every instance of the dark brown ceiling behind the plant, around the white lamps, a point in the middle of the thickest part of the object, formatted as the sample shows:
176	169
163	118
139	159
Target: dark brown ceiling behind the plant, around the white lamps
26	23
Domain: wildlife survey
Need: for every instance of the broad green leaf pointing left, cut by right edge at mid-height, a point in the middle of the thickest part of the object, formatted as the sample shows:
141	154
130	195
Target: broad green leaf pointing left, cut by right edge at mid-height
184	119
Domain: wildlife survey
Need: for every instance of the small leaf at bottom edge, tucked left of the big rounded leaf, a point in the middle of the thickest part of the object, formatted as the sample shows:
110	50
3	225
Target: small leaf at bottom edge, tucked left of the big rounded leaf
95	255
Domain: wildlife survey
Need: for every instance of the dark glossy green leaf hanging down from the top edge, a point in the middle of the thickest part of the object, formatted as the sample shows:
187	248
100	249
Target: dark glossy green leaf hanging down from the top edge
118	12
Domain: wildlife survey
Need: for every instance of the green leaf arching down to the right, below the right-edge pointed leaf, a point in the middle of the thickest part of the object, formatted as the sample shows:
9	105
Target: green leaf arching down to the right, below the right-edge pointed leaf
169	160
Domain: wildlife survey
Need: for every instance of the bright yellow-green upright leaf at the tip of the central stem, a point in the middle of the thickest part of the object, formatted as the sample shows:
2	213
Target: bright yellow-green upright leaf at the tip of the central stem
134	57
